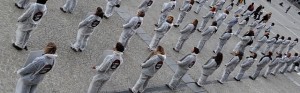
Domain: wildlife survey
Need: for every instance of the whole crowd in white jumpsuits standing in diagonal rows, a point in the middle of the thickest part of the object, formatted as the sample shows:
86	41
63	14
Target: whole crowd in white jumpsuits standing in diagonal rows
33	73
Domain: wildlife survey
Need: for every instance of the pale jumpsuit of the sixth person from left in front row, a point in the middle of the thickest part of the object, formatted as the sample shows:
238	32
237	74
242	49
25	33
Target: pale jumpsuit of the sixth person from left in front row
230	66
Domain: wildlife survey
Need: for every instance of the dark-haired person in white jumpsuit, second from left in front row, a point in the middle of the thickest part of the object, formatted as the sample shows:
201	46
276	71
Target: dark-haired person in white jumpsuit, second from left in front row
107	68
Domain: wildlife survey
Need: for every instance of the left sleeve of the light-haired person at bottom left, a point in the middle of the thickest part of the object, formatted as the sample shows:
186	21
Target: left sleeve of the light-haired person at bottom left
30	68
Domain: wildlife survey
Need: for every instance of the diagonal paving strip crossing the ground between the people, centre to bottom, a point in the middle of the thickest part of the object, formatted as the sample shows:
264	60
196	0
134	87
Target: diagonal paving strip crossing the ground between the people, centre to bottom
124	13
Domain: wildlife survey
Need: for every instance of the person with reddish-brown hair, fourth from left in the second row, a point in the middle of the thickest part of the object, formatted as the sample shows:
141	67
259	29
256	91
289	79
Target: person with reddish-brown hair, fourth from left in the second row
160	33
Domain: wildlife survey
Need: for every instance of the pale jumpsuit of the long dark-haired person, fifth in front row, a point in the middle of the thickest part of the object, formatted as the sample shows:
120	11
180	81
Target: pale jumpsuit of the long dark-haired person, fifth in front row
208	69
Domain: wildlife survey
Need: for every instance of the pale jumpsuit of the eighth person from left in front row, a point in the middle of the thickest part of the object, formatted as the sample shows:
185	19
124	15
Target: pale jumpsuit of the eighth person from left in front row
261	64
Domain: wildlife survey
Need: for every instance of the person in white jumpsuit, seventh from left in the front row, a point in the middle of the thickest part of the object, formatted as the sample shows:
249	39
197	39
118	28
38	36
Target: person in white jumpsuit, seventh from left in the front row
245	65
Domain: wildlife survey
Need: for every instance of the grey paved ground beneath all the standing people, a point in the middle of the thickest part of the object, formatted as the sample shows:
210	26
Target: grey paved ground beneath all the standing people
73	73
